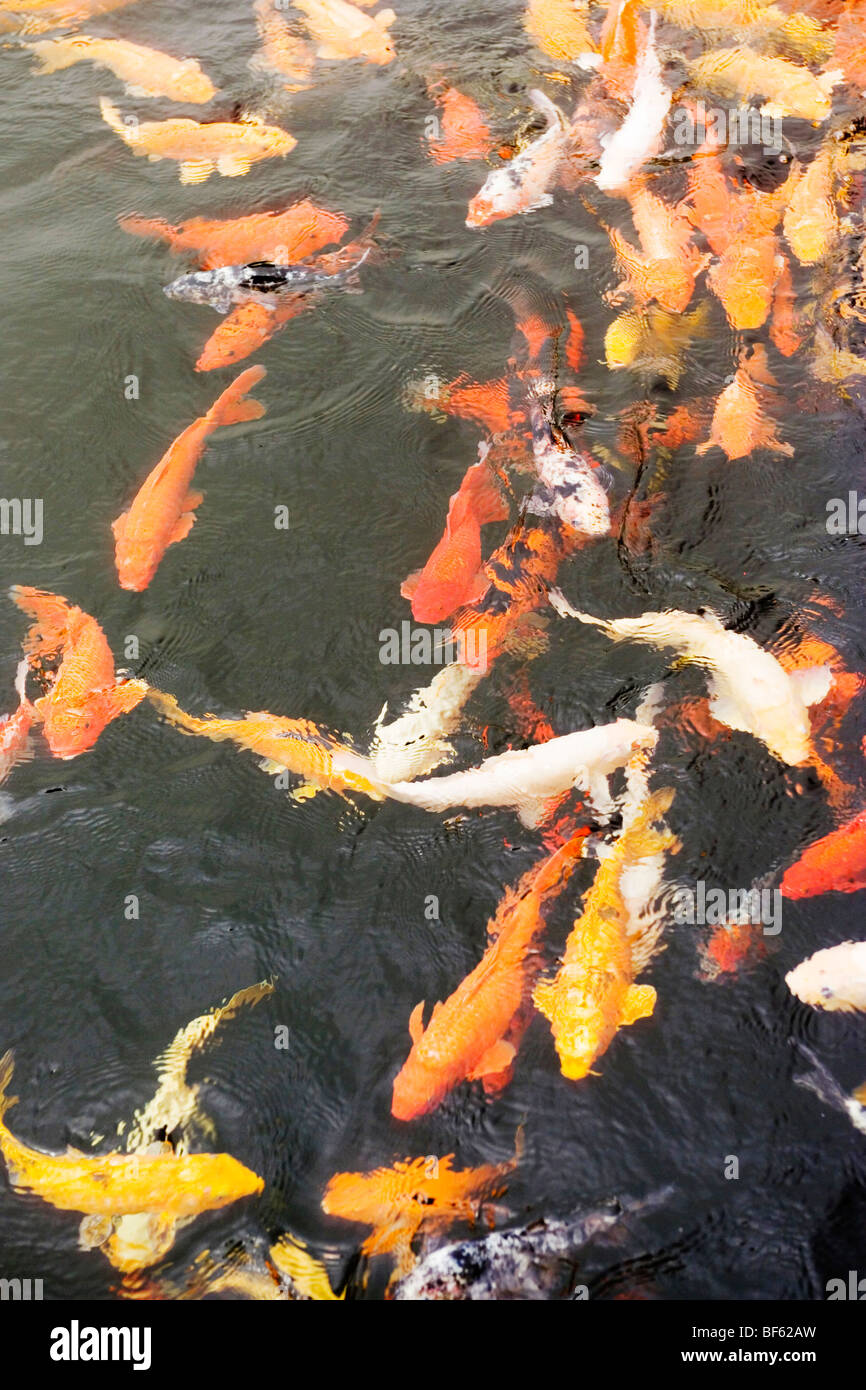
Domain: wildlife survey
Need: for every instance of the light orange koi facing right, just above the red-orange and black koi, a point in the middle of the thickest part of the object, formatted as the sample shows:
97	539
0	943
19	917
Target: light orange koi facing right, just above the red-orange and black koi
229	148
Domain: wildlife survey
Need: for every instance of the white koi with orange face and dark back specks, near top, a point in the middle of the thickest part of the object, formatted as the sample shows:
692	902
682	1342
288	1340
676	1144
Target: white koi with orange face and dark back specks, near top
523	184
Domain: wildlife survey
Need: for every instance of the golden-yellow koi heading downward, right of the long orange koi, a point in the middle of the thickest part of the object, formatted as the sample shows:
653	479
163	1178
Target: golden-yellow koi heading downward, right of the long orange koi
594	993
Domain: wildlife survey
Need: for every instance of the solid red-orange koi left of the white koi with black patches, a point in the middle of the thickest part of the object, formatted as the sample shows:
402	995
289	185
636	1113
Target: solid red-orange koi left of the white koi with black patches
454	573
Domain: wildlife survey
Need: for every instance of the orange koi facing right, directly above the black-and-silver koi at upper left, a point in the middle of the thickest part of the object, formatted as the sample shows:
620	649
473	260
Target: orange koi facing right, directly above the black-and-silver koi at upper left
293	236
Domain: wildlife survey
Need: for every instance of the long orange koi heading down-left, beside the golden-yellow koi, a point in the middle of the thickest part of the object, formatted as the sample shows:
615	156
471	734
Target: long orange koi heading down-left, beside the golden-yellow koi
466	1038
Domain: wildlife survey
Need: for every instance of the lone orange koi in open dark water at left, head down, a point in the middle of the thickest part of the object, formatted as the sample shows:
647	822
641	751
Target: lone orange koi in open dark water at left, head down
163	509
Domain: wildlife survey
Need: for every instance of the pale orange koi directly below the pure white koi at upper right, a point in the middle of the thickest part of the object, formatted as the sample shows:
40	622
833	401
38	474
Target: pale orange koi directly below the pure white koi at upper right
669	263
